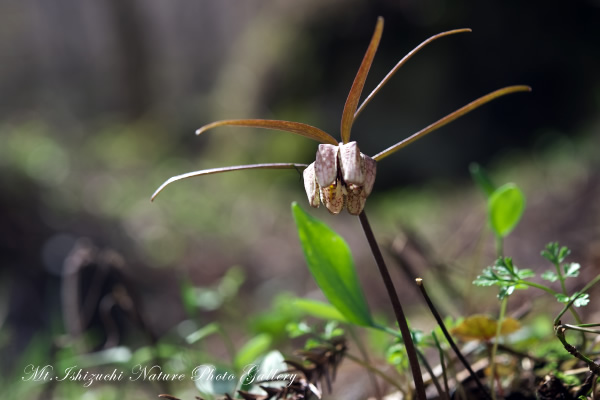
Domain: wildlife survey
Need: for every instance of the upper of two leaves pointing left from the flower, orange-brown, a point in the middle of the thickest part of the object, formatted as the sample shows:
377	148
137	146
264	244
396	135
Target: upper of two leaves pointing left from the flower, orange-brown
298	128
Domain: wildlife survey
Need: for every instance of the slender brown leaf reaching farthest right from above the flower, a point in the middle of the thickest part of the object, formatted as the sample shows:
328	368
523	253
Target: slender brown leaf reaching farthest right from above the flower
451	117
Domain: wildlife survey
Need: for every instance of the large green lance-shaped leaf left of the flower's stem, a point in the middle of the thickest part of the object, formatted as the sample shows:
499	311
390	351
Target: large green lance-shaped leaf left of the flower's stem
330	263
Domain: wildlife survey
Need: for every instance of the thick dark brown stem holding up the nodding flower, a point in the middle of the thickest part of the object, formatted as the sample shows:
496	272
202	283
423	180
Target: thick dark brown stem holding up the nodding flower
400	317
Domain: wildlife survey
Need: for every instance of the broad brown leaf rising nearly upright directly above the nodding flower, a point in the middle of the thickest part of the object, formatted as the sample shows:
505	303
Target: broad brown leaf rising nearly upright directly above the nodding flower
359	83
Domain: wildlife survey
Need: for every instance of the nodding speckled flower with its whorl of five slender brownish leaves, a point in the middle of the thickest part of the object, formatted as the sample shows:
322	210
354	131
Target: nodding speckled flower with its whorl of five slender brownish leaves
342	176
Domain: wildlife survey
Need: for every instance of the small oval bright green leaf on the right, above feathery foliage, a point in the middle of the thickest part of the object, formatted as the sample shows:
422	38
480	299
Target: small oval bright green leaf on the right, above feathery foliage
505	208
